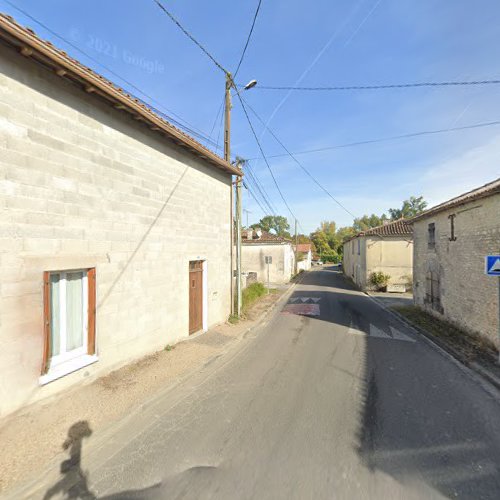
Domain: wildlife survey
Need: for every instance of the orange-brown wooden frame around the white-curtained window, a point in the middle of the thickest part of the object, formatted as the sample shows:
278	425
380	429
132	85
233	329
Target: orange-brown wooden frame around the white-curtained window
89	344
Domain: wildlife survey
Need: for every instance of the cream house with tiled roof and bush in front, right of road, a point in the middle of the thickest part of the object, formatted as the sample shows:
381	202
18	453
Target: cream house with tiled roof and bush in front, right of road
387	248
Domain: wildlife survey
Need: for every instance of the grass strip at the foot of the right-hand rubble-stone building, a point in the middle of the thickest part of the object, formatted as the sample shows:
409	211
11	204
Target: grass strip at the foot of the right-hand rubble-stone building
473	346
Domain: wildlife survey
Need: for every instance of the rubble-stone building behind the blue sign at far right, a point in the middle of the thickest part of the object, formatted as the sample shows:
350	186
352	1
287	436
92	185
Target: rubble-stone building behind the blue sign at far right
451	241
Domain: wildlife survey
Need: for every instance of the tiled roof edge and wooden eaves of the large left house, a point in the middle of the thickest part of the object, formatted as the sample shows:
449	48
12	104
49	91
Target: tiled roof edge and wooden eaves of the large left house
29	45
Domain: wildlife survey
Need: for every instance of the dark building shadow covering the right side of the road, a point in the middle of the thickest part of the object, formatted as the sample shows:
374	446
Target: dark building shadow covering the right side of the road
421	419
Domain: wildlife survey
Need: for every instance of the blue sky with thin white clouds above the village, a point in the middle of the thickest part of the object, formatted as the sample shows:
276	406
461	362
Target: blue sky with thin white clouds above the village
320	43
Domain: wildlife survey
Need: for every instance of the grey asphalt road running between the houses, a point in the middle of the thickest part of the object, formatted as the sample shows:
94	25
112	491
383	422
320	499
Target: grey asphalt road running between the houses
342	403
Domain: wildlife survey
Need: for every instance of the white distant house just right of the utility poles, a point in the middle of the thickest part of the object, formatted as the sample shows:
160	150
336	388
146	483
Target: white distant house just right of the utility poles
256	246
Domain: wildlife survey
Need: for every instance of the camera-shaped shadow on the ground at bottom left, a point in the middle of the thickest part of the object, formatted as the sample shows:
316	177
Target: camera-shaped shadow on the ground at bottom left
74	480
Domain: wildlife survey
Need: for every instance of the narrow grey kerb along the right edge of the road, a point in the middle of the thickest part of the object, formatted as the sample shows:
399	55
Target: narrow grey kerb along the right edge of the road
442	347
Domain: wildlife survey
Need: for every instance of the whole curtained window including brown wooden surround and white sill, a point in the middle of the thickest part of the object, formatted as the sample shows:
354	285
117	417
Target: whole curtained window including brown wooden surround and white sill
69	312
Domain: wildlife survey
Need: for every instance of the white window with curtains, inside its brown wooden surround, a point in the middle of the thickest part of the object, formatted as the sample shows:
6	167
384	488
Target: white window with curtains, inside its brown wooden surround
69	315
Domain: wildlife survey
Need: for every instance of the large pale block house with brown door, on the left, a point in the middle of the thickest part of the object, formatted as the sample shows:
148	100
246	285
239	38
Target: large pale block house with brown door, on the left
110	247
